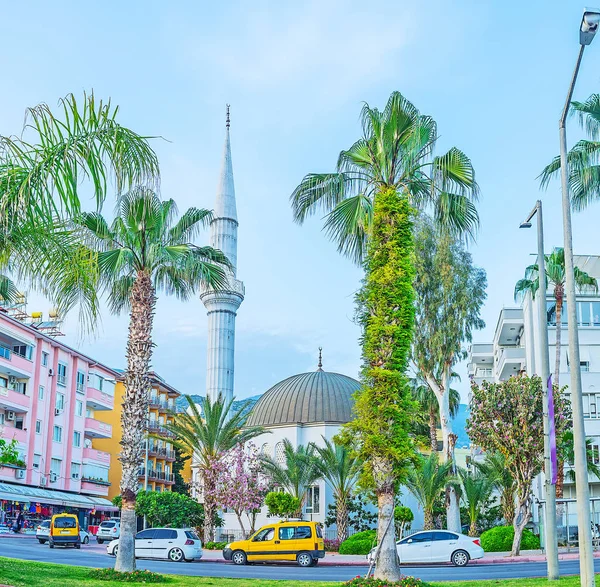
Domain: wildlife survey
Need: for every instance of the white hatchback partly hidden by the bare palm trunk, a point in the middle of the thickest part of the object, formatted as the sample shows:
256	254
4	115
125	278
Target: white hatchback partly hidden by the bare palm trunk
173	544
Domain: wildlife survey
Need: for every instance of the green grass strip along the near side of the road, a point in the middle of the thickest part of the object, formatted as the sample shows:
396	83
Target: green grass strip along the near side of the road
20	573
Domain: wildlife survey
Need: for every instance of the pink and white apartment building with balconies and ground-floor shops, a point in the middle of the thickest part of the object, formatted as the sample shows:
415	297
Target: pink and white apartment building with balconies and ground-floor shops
49	395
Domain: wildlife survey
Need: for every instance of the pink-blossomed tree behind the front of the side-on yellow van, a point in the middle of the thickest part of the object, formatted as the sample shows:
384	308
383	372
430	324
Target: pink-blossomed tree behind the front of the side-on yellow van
241	486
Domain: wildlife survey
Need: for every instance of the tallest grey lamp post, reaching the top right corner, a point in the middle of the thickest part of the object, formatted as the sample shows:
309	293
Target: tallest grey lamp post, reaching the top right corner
587	31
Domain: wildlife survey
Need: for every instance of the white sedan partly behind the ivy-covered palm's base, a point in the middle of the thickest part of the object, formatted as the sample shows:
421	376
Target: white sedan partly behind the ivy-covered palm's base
436	546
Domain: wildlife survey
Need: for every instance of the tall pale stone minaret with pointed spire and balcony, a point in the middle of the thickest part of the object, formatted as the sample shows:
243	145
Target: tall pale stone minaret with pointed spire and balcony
222	306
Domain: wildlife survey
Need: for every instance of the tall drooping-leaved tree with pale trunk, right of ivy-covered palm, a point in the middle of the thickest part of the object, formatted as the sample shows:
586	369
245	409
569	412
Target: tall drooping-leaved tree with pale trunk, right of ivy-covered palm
450	292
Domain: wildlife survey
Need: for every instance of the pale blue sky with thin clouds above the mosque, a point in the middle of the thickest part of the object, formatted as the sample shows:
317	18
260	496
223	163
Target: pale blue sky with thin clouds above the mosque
493	74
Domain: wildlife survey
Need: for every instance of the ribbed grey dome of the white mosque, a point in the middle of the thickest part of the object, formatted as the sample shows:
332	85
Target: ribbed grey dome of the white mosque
305	399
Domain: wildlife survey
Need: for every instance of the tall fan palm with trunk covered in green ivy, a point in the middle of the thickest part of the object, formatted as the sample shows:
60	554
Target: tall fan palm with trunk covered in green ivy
379	181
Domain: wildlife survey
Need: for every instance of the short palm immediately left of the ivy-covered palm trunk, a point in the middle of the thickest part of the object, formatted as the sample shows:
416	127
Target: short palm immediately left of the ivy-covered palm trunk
340	469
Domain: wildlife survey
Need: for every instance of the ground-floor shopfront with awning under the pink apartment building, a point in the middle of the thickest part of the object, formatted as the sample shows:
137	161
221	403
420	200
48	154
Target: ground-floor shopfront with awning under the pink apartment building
26	506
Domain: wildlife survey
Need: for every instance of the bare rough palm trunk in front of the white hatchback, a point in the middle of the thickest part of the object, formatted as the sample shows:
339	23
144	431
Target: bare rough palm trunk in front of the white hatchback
135	411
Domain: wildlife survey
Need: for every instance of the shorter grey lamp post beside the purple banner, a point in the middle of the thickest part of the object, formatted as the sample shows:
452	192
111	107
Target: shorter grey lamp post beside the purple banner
551	540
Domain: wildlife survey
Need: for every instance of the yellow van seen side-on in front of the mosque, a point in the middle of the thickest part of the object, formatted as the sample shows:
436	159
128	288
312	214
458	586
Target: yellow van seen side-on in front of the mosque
289	540
